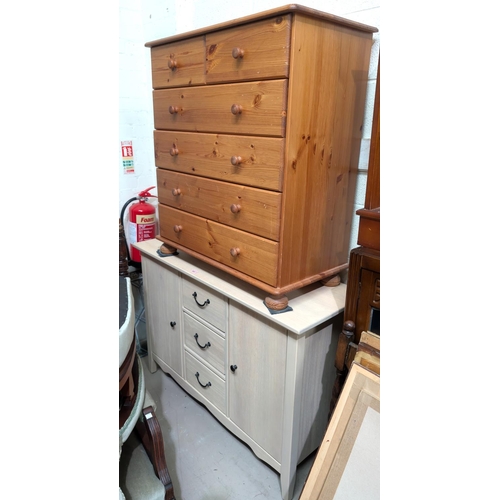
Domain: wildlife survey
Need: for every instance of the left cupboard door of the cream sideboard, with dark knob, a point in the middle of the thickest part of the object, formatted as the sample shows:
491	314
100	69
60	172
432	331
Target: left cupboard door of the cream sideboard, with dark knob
163	313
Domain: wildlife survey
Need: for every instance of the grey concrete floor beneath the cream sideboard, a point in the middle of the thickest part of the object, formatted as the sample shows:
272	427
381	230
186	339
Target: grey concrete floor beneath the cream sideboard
205	460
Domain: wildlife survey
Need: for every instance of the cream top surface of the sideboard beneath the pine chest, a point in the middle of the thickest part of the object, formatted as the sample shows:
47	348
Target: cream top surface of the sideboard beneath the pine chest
311	305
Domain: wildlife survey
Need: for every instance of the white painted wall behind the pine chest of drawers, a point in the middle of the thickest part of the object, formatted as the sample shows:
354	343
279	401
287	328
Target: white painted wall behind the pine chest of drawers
145	20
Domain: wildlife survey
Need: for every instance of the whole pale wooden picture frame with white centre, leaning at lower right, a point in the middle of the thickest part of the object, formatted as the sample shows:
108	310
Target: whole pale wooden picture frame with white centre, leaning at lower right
347	465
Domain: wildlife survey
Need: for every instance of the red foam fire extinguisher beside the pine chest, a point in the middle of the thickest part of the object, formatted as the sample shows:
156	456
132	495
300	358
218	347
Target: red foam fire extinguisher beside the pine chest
142	222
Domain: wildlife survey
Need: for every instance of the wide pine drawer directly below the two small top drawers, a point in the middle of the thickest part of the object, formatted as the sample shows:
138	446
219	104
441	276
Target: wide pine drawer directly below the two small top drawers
255	108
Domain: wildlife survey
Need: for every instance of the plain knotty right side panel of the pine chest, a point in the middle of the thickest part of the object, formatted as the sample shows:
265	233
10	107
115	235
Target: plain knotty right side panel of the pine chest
326	100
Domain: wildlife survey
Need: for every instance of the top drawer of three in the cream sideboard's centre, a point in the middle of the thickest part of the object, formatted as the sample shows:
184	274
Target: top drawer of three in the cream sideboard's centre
205	303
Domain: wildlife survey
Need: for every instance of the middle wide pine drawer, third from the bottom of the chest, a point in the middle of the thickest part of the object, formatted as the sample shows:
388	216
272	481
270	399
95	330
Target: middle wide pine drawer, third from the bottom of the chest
253	161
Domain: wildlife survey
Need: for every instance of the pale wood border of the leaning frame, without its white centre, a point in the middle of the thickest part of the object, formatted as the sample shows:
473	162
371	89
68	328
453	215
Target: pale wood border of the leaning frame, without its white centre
361	391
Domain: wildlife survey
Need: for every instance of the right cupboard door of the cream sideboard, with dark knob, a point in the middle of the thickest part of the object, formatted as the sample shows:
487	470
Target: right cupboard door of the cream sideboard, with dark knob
256	377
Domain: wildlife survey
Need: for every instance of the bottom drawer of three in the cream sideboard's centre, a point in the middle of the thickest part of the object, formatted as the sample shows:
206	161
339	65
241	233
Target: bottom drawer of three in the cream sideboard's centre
206	382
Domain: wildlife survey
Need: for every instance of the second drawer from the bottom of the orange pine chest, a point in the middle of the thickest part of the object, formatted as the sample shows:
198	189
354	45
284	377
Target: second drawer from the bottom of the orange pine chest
250	209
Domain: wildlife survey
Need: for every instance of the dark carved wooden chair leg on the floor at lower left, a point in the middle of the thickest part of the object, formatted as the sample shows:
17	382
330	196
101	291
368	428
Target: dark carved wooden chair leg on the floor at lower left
152	439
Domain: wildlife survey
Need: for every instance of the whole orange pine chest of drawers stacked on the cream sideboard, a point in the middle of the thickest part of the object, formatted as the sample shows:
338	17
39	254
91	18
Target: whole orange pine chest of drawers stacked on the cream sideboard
257	135
